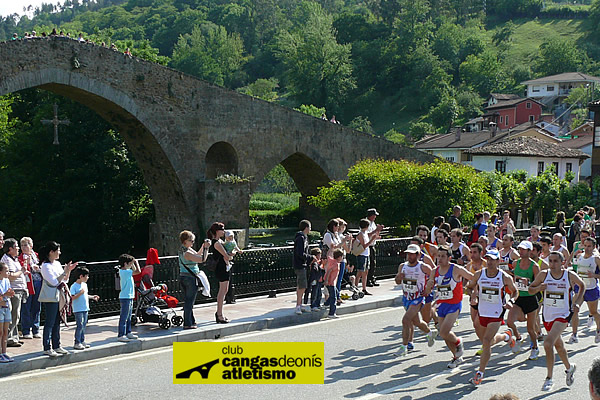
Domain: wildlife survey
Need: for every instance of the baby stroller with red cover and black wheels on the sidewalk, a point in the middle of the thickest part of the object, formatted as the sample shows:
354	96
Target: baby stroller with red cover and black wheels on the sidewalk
148	306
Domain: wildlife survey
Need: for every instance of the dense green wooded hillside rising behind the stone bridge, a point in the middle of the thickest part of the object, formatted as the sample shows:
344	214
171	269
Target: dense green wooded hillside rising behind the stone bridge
393	64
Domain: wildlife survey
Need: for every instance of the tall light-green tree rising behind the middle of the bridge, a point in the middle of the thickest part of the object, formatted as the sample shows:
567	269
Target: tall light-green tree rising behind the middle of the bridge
318	69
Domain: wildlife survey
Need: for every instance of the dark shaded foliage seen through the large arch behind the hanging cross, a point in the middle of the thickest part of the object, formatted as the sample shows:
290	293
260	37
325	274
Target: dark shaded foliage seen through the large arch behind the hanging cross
86	193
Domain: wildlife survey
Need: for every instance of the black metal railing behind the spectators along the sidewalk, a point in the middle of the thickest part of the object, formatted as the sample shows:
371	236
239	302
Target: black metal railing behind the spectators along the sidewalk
256	272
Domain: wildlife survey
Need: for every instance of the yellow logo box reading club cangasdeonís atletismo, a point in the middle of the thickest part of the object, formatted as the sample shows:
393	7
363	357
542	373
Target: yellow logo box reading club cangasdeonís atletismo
248	363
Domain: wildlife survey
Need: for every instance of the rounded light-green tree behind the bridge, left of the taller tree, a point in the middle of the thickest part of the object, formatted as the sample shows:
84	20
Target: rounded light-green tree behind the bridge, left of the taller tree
209	53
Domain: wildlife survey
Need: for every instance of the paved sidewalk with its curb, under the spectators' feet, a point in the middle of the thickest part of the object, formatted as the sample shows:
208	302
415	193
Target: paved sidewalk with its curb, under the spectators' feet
246	315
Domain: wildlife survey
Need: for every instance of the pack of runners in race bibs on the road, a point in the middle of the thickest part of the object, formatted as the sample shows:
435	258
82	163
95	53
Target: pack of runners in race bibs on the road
541	274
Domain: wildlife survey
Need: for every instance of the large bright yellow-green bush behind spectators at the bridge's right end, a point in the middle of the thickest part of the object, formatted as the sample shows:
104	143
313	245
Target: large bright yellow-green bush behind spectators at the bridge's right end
409	193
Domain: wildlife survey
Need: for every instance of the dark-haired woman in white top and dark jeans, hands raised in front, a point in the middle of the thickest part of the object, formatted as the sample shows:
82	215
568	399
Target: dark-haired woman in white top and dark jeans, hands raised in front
55	279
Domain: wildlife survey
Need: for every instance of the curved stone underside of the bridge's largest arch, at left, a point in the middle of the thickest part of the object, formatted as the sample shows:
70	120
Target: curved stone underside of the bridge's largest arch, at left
124	114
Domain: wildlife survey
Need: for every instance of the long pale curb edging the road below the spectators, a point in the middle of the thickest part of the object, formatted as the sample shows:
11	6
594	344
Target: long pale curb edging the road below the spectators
30	362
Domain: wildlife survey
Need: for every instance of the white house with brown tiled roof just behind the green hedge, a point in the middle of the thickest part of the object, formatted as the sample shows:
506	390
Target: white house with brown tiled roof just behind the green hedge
527	153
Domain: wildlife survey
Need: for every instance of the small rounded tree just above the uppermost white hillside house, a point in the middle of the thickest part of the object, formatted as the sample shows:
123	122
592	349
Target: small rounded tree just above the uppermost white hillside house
556	56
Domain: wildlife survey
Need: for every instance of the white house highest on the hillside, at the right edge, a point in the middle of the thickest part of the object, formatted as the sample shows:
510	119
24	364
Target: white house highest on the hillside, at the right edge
554	87
